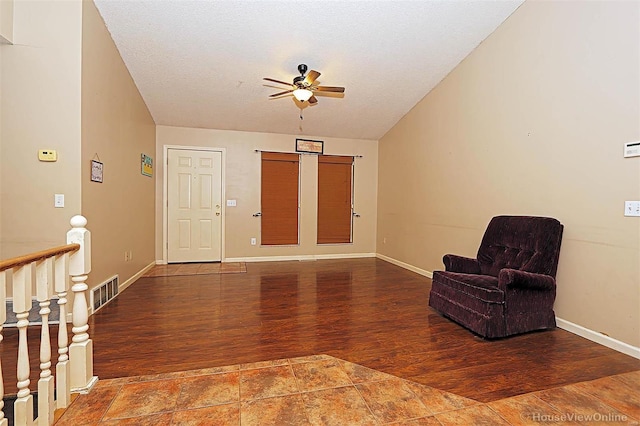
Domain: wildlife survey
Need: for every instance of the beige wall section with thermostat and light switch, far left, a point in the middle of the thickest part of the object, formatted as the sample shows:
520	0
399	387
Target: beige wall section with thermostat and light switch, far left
40	109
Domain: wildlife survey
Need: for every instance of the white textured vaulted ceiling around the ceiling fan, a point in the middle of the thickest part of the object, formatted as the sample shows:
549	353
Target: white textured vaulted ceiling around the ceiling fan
201	63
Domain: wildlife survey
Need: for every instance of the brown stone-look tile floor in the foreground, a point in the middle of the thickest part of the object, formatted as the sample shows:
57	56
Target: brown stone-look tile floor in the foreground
322	390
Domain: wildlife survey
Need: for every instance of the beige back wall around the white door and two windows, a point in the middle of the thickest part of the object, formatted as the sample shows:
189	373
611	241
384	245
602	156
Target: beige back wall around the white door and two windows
242	183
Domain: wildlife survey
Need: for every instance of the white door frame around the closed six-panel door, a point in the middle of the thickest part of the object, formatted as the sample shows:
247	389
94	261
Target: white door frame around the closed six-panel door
165	199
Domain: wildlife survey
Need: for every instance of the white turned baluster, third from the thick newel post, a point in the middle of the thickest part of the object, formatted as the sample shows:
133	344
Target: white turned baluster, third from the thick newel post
23	278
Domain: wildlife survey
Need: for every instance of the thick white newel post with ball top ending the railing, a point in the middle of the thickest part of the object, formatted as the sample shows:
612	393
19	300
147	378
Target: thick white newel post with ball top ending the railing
81	348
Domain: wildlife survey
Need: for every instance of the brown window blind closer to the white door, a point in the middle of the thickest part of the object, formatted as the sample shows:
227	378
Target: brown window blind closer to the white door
279	198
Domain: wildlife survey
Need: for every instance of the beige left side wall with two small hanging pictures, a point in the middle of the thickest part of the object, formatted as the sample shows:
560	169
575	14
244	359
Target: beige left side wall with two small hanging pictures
116	128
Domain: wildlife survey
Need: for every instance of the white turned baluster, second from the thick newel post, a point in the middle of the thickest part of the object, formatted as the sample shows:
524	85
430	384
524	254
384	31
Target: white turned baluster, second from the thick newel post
44	292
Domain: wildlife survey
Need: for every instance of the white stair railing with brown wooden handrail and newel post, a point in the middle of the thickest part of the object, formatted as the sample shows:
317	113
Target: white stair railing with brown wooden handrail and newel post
49	272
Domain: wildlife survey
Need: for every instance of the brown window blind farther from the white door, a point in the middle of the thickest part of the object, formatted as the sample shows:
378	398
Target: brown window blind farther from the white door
335	174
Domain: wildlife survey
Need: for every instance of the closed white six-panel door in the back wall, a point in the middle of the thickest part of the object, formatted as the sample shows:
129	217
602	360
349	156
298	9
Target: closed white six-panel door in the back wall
194	205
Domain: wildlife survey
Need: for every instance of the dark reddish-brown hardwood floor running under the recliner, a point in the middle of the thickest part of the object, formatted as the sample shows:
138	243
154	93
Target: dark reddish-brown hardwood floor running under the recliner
365	311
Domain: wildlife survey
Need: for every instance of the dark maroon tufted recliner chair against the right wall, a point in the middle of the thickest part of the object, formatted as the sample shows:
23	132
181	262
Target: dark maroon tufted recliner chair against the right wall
510	288
